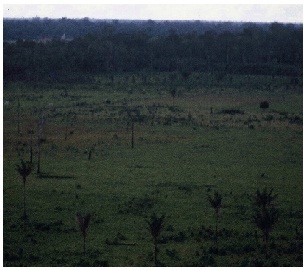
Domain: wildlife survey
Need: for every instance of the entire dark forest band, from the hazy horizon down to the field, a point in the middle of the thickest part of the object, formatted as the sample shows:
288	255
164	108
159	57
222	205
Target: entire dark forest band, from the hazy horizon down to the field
46	49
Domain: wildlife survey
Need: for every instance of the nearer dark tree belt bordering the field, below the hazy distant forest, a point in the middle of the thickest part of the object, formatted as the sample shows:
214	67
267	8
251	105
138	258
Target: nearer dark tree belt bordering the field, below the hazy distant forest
255	50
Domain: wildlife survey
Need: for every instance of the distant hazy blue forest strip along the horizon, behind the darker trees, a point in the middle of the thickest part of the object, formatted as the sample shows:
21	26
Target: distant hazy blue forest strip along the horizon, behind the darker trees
38	28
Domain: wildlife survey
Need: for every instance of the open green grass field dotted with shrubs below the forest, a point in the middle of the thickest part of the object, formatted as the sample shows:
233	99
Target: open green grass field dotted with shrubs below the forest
182	154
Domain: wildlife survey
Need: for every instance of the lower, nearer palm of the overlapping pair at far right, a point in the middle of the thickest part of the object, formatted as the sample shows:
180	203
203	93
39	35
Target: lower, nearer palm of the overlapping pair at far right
265	219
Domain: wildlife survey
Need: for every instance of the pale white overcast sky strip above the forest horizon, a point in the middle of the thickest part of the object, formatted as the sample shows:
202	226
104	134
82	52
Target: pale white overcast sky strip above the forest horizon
253	13
